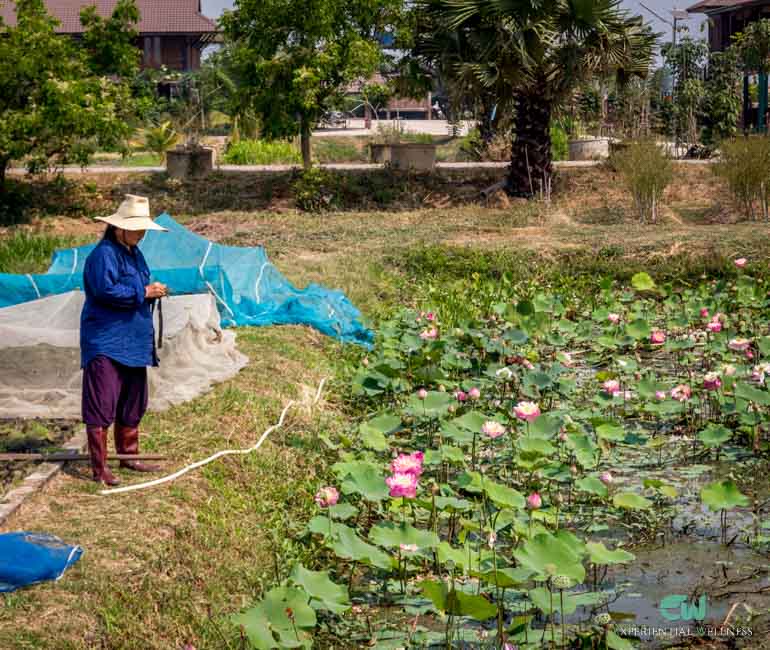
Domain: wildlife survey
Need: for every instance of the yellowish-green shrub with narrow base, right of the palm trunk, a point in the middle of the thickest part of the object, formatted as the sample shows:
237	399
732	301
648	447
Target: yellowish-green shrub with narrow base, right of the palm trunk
646	170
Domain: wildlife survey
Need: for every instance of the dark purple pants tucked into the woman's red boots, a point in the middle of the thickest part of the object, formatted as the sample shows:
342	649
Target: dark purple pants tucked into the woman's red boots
113	392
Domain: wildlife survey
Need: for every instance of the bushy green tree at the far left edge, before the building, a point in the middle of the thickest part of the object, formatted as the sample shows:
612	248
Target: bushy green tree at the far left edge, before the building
53	105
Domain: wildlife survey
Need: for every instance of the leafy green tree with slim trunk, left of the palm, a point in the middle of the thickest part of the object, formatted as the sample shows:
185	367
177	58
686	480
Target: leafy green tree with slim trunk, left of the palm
294	57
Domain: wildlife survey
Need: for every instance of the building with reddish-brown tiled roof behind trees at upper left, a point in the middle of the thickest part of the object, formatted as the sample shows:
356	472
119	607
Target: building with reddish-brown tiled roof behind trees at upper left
172	33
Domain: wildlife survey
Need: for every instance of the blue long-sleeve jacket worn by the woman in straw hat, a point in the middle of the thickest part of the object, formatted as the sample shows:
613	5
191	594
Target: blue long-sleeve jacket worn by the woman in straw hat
116	320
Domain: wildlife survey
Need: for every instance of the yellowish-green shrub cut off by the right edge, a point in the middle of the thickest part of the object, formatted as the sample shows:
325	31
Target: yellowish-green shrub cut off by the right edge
745	166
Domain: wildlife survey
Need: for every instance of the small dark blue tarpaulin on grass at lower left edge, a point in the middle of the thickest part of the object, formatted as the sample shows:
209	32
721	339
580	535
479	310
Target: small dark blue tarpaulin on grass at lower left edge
29	558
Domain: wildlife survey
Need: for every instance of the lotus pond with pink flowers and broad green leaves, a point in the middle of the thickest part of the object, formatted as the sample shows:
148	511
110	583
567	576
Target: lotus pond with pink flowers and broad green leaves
552	471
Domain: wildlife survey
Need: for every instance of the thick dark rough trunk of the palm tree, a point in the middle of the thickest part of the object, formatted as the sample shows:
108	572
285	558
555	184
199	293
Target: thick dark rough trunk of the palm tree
531	164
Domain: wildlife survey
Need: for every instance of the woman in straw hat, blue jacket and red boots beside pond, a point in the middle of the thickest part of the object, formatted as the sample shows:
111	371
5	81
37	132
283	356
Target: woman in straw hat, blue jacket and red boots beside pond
117	338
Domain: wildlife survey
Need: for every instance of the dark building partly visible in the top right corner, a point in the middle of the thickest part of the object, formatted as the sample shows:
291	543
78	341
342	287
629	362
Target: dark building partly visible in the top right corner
725	19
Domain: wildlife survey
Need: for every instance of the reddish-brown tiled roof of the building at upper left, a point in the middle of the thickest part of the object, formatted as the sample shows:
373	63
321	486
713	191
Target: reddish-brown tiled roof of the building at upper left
157	16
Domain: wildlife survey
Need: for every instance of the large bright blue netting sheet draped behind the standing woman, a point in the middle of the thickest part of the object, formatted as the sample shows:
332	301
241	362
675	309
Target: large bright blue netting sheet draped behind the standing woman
248	288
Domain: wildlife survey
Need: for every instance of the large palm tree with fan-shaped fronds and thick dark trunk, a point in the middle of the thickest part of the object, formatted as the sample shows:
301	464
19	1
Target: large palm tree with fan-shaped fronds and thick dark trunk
532	54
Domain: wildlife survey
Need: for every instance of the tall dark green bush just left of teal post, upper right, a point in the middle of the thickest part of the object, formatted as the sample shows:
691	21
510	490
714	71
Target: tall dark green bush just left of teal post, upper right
722	98
